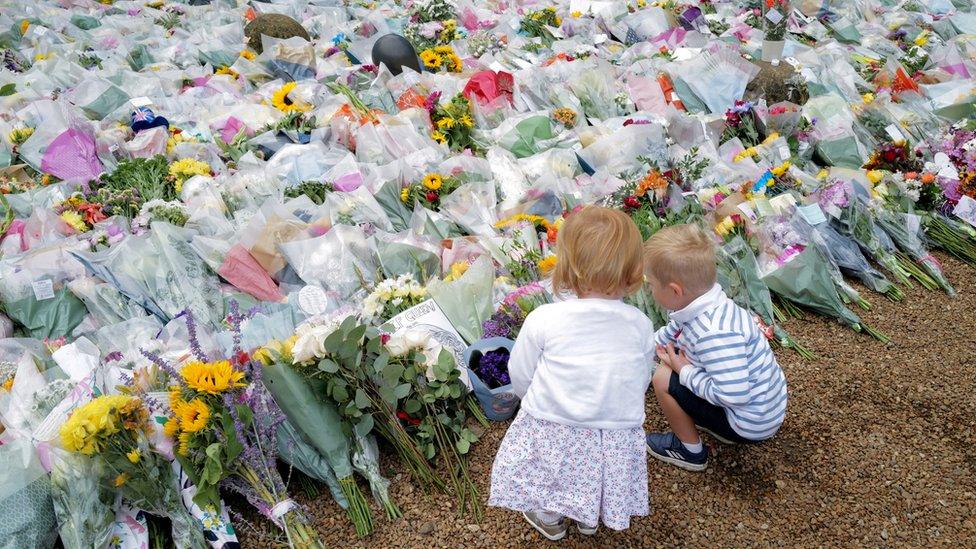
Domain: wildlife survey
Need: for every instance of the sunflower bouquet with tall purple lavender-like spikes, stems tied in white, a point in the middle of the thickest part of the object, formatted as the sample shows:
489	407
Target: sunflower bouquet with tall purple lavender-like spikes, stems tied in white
225	423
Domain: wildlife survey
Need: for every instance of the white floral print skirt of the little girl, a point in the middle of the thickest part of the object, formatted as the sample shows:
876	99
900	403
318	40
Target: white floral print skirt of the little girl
588	475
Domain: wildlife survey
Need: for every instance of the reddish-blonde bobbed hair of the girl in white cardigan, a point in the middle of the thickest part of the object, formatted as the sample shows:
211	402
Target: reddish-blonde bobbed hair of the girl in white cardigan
599	252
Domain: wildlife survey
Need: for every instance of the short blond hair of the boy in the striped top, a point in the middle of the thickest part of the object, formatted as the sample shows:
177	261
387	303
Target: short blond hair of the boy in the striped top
682	254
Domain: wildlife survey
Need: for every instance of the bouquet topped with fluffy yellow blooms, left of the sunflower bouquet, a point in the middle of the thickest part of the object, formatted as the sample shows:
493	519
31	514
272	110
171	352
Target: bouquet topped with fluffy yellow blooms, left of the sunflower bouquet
114	432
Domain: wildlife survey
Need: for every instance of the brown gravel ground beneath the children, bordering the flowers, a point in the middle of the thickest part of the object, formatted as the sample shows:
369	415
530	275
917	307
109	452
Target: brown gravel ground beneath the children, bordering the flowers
877	449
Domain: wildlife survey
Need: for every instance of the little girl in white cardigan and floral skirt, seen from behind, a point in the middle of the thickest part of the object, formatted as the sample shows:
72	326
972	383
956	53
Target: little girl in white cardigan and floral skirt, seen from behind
576	450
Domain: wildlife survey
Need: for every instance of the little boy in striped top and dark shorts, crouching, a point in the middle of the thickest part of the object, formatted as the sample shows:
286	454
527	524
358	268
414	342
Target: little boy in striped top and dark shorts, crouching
717	371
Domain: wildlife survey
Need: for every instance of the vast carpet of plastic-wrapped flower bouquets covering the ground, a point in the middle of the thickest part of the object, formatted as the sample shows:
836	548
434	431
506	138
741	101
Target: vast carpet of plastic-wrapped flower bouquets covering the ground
231	237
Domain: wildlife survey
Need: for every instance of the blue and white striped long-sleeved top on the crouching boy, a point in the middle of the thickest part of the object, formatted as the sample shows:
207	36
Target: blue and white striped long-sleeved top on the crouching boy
732	365
